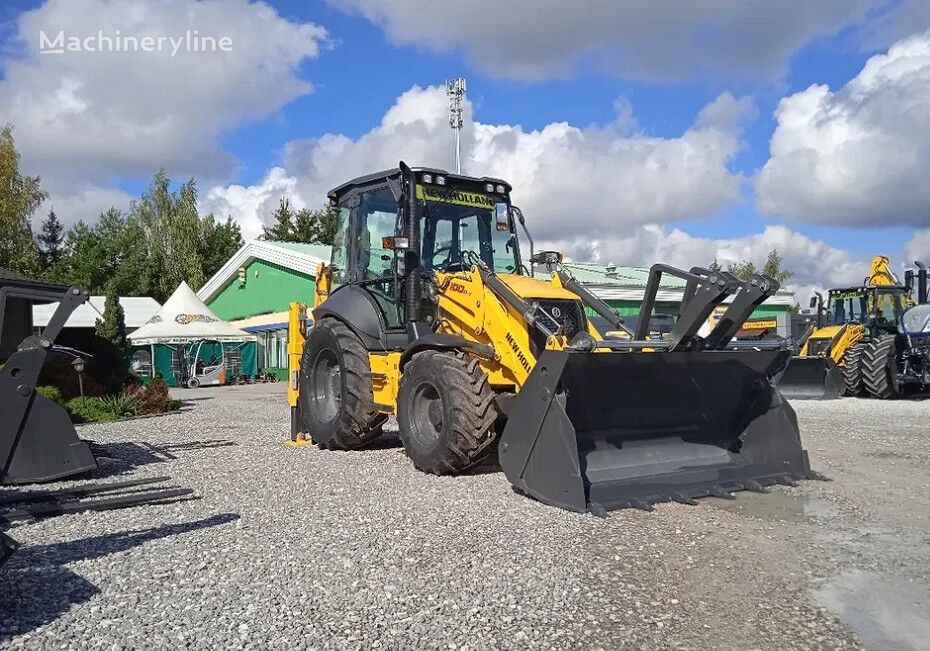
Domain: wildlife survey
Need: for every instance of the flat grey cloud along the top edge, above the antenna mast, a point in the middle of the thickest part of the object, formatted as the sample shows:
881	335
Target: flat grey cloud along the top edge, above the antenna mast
652	40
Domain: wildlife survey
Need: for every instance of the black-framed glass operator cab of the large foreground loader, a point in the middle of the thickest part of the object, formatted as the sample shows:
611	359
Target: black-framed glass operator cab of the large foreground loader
424	220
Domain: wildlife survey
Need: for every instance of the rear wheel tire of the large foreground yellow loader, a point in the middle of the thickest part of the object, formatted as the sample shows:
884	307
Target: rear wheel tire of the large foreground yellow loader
337	406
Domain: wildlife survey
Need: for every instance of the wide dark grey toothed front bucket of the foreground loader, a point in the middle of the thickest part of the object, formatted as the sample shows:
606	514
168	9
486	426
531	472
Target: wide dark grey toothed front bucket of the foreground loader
601	431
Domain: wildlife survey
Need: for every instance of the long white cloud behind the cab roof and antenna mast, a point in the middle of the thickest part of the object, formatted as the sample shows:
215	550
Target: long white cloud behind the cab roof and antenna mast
594	180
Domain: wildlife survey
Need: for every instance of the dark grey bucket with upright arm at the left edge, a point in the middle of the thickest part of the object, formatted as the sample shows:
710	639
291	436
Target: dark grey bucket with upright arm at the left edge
38	442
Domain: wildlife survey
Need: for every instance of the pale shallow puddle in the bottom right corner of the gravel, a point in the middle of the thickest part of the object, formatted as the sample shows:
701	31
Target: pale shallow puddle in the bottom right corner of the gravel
888	612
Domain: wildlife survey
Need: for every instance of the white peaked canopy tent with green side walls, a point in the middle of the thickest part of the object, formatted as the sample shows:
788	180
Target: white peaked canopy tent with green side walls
179	340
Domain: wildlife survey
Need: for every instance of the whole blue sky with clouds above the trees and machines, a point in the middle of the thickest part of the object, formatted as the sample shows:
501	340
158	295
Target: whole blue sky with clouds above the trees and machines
632	132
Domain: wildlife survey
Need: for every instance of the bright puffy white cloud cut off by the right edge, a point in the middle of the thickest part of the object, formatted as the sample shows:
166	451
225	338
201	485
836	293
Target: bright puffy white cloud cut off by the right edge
859	155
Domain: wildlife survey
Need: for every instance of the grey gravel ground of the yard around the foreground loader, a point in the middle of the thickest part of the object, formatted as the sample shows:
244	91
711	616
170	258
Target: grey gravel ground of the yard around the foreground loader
303	548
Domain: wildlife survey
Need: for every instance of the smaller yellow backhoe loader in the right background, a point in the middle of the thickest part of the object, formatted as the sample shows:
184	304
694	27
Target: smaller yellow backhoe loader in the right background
828	363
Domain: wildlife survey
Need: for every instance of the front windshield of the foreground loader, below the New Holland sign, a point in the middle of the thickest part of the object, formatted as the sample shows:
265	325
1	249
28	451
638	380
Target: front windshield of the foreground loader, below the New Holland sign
453	233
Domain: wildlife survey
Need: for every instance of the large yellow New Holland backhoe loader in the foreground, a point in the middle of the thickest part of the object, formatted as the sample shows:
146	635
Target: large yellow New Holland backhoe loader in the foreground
429	312
